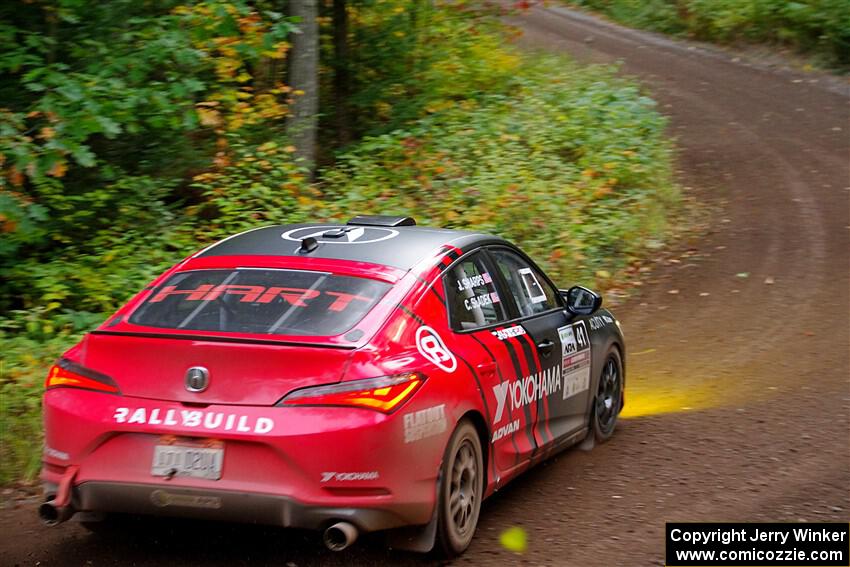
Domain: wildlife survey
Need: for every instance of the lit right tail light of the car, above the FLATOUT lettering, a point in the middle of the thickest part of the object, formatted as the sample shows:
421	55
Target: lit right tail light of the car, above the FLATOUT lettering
384	394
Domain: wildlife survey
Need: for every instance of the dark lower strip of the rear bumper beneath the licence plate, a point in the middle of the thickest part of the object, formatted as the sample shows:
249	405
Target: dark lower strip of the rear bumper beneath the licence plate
223	505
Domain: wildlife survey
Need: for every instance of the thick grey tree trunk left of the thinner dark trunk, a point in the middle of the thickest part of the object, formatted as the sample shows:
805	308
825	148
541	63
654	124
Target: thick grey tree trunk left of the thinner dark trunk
304	78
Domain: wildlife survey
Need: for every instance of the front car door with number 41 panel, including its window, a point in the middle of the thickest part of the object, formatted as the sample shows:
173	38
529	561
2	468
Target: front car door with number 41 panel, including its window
561	349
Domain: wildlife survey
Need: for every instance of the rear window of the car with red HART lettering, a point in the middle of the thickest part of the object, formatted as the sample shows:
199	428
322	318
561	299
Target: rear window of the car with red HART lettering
260	301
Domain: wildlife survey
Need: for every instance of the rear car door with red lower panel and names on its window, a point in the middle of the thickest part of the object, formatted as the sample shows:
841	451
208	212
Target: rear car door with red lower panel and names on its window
477	313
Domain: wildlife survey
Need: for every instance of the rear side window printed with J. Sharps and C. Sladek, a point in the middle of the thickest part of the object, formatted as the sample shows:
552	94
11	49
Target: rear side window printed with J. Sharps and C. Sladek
472	296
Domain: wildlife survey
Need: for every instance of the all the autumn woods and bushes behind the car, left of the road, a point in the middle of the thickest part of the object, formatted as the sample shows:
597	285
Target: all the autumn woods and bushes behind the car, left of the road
132	134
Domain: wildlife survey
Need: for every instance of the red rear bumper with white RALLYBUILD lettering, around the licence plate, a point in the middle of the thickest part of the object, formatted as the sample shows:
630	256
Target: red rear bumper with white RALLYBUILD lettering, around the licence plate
316	465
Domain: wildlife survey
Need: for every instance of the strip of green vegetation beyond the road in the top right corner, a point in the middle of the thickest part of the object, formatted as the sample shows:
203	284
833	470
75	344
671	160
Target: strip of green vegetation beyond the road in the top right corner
820	28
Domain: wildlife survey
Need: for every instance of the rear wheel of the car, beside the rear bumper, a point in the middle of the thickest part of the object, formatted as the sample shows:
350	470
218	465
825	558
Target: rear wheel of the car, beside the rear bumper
461	490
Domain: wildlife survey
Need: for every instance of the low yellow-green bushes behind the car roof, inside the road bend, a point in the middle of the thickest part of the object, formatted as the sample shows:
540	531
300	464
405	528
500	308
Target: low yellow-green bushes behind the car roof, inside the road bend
579	152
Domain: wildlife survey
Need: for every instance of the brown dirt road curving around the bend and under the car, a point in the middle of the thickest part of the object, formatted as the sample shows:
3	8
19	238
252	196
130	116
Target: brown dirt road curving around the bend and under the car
739	389
